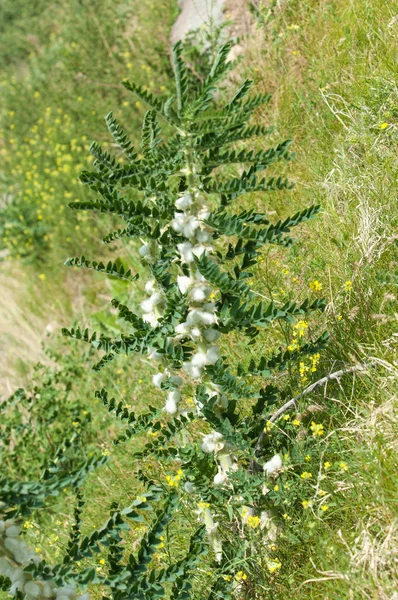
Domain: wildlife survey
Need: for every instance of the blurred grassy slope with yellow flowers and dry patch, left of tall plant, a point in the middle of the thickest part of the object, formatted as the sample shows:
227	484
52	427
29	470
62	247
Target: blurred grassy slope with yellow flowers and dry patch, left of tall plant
62	64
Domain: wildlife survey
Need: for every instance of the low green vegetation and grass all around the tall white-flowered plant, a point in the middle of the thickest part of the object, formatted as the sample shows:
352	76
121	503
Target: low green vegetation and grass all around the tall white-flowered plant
331	70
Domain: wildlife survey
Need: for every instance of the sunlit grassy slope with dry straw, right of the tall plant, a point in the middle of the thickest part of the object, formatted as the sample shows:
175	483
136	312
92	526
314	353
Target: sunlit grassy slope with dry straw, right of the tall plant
332	70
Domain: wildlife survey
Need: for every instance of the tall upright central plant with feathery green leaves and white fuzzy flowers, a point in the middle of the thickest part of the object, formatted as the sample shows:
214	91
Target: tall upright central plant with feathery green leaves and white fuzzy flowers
200	252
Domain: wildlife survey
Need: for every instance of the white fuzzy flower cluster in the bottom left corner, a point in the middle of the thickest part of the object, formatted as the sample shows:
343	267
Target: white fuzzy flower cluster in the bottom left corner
15	555
